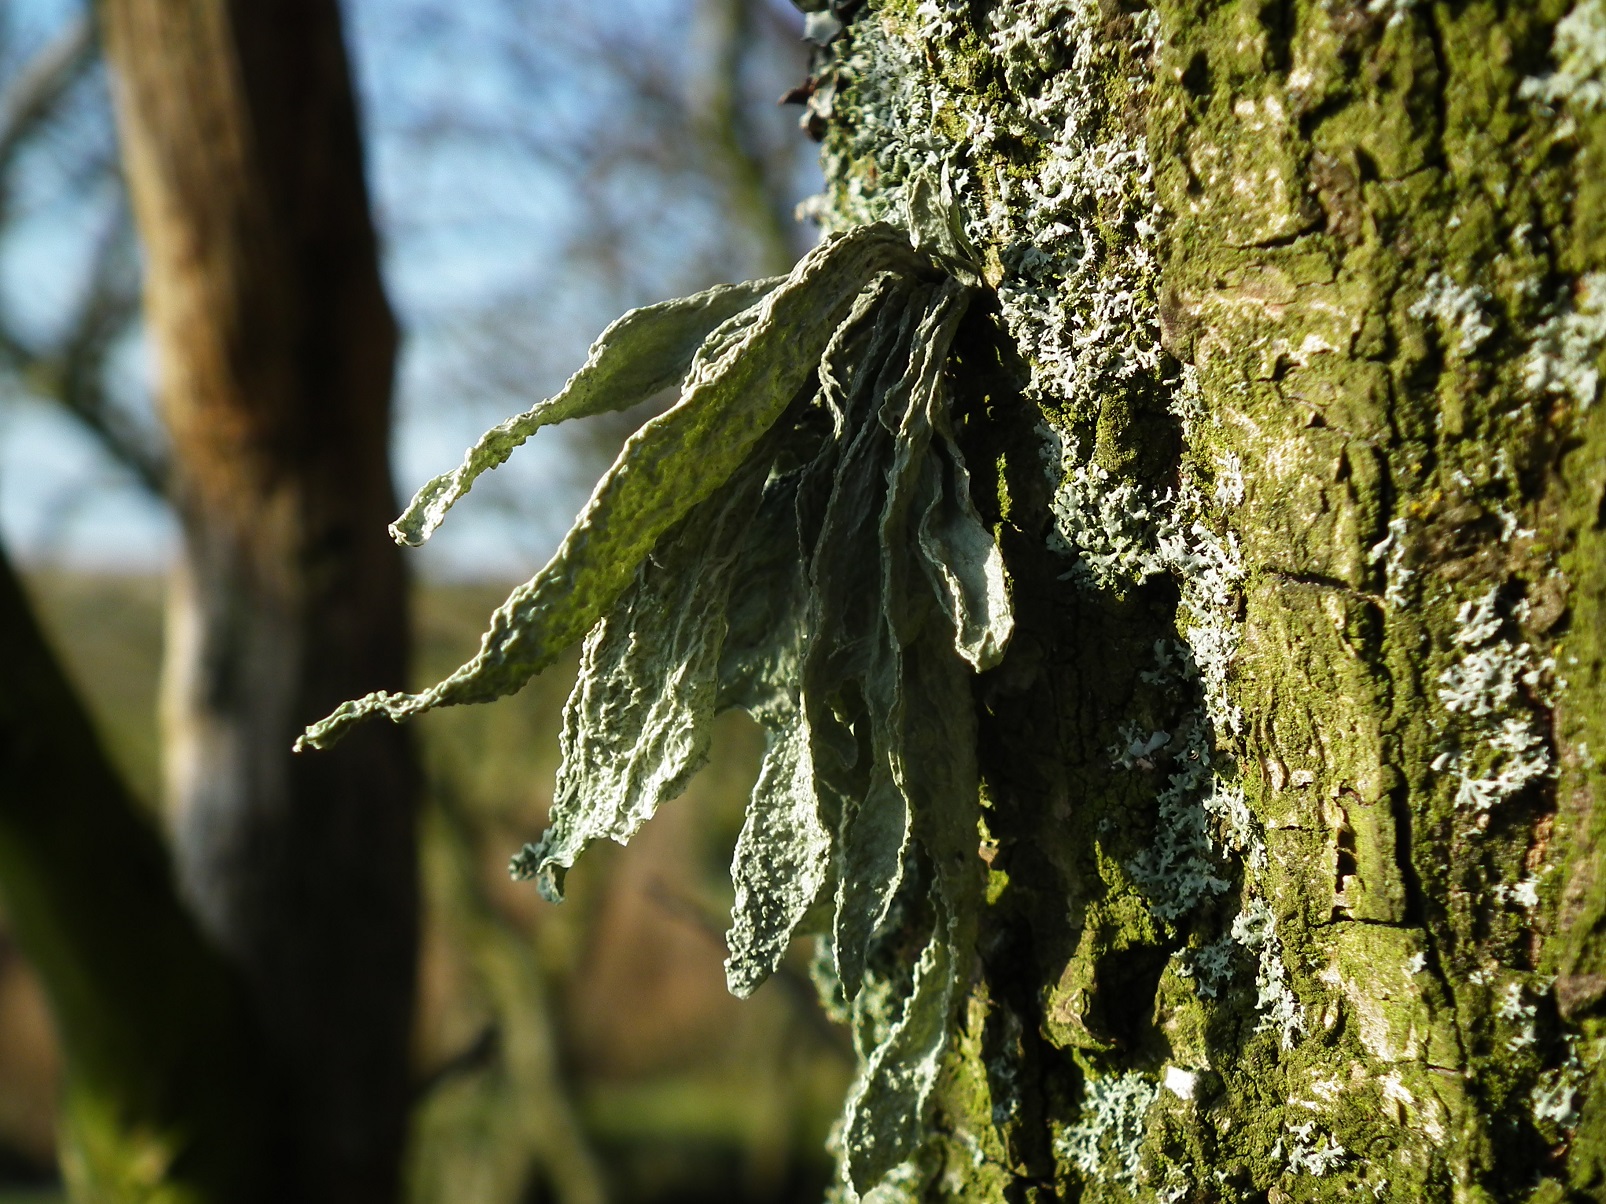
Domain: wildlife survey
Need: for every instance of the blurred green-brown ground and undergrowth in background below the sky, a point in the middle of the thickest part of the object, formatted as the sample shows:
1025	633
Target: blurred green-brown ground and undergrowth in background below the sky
565	1054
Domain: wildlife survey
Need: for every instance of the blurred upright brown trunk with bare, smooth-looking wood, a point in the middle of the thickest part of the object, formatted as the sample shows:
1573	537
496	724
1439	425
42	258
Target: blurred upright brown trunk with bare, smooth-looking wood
275	349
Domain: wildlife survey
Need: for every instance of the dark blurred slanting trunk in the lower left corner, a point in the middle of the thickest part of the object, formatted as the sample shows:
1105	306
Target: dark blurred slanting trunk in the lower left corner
166	1096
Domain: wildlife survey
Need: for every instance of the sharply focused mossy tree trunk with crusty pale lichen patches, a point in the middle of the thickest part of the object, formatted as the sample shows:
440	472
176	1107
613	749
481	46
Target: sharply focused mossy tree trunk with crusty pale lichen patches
1292	811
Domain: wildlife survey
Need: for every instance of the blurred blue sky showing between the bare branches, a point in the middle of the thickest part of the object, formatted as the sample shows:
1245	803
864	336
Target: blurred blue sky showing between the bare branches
478	229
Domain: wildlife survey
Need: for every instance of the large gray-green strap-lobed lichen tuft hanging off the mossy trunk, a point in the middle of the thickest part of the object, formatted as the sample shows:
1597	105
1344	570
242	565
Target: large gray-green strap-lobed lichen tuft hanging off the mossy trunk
794	539
